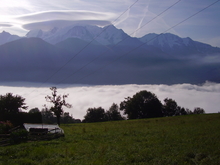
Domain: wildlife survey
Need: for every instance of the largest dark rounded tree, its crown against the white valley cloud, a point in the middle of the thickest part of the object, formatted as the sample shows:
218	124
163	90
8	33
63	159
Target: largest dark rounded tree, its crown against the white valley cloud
143	104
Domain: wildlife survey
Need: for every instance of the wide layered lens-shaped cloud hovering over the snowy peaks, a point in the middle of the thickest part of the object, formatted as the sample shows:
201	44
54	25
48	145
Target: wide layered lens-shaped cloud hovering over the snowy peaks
48	20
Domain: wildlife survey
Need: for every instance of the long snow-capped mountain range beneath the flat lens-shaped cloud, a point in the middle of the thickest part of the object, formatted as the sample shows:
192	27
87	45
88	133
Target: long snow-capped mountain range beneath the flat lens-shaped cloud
168	43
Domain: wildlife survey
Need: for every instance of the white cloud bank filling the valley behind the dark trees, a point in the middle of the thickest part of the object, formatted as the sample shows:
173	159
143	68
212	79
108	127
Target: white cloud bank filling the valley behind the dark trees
83	97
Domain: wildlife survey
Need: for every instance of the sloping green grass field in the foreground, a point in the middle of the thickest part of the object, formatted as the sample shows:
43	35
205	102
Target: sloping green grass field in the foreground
191	139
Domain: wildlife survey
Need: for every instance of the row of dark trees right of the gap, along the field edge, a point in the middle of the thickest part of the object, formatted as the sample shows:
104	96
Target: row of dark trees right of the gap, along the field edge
143	104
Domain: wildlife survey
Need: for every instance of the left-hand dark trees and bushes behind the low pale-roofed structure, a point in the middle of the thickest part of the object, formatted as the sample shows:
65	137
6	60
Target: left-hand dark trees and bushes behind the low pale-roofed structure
12	106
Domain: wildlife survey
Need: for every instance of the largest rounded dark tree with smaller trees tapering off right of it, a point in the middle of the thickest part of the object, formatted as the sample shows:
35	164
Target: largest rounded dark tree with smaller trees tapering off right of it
145	104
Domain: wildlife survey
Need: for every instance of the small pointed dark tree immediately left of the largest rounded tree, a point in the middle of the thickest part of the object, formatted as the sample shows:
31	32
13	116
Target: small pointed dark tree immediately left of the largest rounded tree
113	113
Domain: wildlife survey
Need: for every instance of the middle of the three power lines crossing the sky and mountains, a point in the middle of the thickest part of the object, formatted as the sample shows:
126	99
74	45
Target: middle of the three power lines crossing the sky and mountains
120	41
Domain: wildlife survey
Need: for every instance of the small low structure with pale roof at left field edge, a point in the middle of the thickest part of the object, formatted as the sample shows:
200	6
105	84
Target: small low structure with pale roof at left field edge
51	128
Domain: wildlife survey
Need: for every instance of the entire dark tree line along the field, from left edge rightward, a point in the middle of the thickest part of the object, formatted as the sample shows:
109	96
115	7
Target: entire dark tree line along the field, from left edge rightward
143	104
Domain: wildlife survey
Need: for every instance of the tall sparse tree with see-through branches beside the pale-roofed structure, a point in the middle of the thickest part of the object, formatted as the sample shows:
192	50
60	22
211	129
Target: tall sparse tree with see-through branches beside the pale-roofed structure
58	103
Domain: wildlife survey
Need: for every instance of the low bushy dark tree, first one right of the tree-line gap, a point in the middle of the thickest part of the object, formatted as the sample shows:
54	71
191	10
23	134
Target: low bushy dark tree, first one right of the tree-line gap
94	115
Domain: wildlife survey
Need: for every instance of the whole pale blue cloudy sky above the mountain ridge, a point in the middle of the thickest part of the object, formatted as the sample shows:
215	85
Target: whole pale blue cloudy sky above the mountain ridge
19	17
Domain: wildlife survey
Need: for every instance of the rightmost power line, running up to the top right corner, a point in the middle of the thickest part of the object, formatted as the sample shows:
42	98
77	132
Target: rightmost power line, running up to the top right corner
149	40
